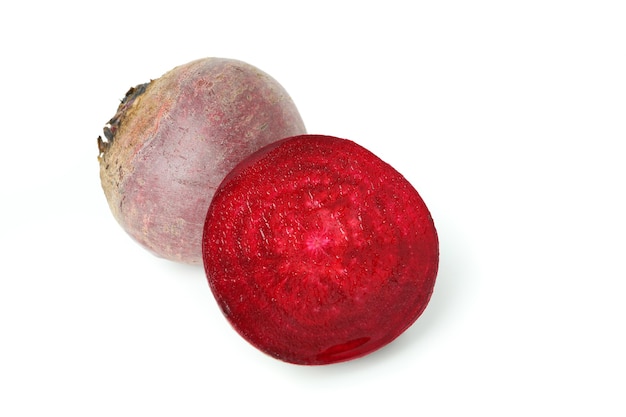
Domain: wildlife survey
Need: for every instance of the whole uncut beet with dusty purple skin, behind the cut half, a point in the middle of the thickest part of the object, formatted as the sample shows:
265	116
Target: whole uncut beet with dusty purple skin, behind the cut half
174	139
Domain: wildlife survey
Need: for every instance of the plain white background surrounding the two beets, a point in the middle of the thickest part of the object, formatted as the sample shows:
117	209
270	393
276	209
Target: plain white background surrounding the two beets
507	116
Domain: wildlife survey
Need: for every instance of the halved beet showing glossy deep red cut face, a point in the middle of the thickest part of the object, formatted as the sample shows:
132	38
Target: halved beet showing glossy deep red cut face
319	252
